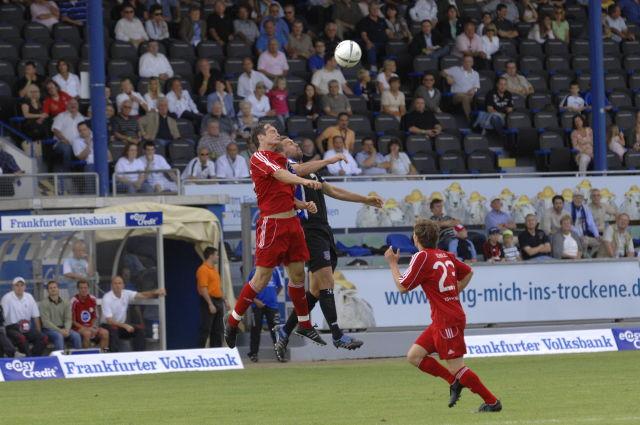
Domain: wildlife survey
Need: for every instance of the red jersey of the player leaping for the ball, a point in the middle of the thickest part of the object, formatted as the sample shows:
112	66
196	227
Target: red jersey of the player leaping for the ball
273	196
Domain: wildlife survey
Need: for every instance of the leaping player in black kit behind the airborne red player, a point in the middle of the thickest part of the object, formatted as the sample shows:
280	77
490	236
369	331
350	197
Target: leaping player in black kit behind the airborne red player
322	249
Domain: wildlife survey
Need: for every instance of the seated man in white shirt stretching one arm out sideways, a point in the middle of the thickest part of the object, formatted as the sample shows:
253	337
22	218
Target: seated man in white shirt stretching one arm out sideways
114	311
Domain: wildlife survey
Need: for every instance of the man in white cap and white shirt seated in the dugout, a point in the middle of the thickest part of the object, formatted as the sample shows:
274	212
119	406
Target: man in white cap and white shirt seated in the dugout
22	319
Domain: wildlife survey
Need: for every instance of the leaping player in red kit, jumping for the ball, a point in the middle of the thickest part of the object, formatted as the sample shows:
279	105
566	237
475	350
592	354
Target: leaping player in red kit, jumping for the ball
279	235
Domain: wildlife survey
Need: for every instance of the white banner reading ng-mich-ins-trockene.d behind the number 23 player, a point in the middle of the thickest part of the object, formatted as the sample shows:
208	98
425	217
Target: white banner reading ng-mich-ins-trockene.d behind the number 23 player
503	293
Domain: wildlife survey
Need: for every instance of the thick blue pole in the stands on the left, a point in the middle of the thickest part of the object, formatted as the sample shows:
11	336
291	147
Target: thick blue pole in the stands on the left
95	26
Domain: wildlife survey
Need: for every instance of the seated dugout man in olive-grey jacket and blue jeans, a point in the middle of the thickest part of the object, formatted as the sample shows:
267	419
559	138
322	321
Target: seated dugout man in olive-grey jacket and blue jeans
55	313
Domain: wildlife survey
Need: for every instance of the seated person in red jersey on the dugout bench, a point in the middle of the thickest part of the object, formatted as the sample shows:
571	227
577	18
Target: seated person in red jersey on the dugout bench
84	315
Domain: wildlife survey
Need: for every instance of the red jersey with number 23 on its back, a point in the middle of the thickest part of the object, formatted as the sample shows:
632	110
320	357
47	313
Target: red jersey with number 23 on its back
438	272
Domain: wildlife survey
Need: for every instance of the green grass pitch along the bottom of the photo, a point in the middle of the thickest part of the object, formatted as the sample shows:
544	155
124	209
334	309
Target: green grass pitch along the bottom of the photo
560	389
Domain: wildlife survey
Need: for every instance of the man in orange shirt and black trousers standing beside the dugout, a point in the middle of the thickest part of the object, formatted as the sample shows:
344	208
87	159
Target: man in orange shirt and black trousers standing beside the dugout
212	300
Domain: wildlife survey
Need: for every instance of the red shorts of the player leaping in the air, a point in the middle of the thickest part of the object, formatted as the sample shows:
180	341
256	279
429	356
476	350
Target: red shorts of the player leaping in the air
280	241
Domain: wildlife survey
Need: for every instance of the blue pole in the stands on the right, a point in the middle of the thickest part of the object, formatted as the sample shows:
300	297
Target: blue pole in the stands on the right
597	86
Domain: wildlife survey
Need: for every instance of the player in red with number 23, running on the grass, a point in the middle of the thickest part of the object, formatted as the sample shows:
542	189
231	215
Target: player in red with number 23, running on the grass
442	276
